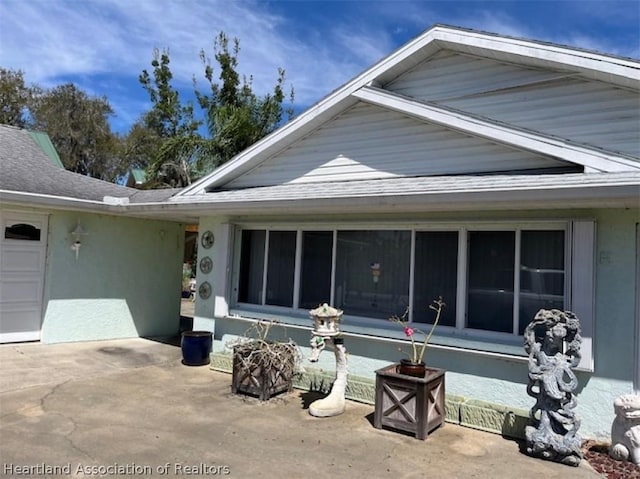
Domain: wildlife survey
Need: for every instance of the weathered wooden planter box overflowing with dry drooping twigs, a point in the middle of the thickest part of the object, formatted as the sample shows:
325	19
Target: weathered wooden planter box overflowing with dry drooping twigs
259	372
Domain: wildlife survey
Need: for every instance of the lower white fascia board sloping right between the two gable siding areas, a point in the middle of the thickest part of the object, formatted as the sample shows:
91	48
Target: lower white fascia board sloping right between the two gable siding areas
522	139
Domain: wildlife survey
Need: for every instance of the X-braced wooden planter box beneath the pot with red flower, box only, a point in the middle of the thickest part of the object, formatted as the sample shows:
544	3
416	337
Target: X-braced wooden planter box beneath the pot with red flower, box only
407	403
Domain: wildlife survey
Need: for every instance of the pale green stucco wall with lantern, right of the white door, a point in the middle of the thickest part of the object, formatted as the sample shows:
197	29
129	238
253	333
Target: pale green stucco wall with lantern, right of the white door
126	281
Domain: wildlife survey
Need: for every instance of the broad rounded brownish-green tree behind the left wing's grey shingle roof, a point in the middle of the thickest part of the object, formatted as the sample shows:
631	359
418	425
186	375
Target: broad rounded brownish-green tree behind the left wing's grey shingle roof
78	126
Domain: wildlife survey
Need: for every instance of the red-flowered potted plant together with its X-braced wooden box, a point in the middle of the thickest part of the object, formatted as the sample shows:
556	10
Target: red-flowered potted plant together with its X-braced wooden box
409	395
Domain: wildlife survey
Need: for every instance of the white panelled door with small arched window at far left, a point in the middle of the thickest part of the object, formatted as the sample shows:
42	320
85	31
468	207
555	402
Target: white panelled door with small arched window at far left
23	247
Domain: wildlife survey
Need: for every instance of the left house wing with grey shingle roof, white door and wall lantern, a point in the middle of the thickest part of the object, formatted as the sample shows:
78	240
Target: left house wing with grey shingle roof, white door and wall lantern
124	278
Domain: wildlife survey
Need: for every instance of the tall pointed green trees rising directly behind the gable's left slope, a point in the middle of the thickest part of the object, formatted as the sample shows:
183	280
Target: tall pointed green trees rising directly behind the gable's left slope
235	117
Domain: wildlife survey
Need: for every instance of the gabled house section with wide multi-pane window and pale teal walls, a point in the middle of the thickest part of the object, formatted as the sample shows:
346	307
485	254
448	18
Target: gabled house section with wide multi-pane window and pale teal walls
499	173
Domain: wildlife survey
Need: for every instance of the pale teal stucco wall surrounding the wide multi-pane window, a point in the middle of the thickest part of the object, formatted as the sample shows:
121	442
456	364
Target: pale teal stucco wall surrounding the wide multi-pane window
496	378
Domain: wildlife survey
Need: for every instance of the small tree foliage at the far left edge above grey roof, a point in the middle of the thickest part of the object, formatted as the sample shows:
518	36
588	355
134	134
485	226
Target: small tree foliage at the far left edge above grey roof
15	98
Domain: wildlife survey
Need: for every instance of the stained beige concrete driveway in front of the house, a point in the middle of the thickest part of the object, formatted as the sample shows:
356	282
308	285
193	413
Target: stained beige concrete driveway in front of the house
129	408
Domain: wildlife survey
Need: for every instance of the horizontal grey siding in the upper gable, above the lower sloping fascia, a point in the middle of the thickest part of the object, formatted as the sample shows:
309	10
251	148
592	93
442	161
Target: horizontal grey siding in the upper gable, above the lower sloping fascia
591	113
